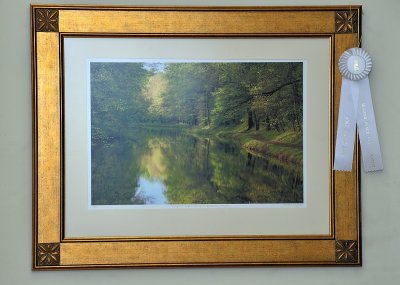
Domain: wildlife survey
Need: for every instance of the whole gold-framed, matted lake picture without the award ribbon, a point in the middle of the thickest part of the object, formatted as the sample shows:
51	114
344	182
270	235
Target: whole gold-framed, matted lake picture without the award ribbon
190	136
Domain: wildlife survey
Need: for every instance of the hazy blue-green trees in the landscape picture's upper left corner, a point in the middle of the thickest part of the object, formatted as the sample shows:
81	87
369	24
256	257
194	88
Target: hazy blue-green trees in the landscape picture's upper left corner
116	97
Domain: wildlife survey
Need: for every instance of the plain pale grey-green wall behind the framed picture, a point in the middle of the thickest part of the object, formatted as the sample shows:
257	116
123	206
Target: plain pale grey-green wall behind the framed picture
380	191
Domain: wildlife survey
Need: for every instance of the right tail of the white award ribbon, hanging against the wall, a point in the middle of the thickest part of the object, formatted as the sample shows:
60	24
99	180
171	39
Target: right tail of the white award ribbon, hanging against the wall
368	134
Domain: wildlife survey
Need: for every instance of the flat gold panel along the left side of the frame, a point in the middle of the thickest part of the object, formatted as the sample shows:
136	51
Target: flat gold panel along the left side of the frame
48	138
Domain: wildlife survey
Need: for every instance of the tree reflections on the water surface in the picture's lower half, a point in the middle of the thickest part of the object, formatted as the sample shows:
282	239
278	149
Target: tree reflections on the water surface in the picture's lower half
195	170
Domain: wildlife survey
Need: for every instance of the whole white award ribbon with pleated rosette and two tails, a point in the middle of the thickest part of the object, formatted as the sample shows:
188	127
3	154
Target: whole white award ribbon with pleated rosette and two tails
356	110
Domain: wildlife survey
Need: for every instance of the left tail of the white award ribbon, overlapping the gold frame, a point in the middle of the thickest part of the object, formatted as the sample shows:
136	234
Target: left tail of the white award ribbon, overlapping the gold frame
346	128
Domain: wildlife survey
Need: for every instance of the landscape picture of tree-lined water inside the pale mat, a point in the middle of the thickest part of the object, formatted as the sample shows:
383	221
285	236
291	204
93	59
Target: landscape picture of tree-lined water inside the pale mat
166	132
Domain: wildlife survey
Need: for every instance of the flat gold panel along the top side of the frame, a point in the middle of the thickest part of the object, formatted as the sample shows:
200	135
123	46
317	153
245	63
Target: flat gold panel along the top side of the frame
217	22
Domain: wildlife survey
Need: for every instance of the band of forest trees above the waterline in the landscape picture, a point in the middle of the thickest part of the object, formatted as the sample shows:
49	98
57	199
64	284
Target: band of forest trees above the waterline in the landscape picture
258	95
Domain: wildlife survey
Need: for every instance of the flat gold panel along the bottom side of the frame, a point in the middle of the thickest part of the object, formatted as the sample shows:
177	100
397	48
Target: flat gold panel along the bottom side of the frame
237	252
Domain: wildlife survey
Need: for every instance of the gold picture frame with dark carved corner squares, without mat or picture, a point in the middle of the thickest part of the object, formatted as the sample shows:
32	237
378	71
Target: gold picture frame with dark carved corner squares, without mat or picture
50	24
